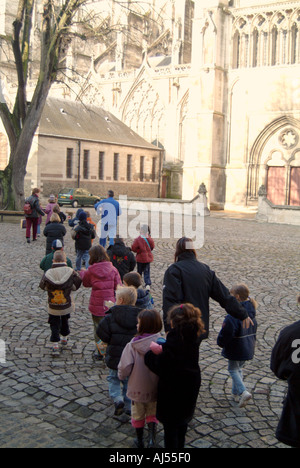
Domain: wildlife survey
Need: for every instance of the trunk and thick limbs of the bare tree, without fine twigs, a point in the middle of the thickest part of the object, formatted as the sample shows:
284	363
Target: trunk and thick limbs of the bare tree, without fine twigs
22	120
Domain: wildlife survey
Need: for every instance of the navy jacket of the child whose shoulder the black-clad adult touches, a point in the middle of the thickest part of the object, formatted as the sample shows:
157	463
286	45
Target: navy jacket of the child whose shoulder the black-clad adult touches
238	343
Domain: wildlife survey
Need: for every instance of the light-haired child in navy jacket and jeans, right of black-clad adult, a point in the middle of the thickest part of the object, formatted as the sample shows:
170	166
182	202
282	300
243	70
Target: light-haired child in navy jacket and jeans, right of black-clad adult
238	343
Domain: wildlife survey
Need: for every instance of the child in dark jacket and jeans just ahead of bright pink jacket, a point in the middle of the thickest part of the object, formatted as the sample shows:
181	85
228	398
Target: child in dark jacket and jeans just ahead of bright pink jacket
83	234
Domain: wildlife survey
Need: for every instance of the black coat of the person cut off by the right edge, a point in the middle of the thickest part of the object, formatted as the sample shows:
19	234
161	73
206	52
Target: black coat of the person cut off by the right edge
285	363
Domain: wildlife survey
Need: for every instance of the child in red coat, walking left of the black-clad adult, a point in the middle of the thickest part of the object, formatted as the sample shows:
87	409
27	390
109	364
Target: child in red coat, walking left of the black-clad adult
143	247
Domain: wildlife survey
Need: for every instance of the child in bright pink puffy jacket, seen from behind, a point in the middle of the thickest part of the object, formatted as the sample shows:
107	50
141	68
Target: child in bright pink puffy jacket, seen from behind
104	279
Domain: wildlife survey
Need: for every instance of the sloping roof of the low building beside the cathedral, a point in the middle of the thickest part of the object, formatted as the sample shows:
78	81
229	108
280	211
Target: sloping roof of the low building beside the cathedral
74	120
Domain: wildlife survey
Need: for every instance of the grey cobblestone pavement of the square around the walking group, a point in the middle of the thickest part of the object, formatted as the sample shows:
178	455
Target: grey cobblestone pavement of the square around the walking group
63	401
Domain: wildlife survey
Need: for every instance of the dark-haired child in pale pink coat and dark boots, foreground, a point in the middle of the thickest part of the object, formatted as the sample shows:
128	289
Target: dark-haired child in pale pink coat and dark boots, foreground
142	384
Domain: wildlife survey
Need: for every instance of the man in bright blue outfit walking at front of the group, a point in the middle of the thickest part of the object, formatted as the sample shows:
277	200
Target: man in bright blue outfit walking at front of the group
110	210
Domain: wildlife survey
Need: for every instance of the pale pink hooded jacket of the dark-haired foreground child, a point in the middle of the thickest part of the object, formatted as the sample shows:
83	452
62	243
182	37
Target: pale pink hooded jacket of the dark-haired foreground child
142	384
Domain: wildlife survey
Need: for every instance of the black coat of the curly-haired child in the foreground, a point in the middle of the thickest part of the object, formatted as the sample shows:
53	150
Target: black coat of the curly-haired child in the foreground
179	377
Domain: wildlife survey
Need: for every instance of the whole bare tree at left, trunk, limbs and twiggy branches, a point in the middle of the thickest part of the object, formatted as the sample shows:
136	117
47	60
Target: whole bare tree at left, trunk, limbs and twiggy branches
59	24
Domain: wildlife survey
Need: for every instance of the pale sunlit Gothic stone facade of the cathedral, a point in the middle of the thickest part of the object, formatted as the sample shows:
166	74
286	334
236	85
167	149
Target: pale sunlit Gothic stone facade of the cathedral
215	84
